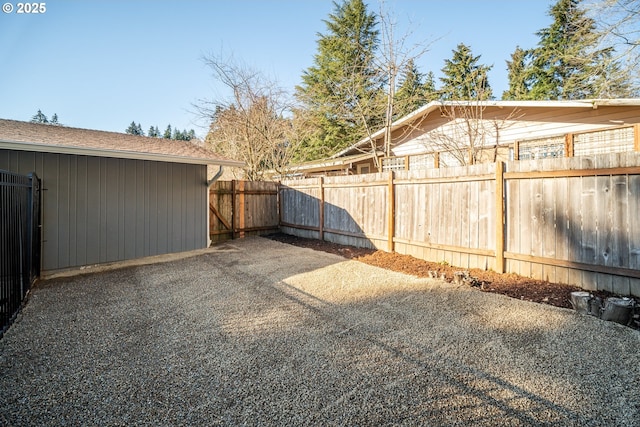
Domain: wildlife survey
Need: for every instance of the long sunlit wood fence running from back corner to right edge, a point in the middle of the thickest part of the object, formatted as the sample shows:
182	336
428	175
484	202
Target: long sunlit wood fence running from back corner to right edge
568	220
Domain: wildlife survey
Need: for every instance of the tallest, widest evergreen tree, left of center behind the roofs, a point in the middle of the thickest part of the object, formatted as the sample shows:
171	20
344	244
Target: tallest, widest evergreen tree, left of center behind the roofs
341	80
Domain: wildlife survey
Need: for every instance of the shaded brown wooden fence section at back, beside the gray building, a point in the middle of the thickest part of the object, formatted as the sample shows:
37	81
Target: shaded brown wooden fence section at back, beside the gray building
239	208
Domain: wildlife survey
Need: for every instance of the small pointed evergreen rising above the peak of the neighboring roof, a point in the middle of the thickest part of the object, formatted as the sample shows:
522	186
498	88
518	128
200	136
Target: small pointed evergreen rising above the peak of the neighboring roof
463	78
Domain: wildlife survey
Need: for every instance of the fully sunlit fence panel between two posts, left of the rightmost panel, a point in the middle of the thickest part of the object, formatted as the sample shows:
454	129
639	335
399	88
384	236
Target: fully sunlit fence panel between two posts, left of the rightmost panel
447	215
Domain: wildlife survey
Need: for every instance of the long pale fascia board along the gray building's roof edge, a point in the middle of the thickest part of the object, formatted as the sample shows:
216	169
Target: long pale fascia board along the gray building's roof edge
119	154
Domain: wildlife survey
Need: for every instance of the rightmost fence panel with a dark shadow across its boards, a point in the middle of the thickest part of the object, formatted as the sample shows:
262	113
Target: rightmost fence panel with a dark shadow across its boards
579	226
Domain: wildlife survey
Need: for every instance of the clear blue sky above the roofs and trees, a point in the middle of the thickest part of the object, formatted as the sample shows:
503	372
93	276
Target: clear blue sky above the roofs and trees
100	64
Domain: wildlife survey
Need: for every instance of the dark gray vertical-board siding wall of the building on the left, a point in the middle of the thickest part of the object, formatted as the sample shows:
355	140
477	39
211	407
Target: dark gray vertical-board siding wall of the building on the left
98	210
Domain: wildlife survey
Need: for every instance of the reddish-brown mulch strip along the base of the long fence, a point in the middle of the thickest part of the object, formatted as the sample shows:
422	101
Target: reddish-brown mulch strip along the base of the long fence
512	285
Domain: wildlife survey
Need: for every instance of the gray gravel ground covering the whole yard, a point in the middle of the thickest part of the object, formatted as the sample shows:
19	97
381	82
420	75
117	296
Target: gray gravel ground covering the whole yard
256	332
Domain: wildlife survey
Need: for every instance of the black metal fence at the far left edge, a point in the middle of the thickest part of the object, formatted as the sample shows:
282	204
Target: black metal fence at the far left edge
19	241
